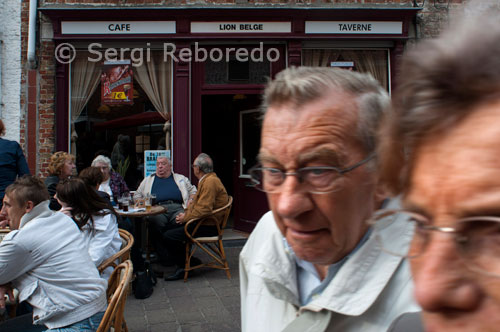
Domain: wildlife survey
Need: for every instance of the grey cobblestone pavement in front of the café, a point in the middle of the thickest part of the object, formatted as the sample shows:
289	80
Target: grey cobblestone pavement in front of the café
208	301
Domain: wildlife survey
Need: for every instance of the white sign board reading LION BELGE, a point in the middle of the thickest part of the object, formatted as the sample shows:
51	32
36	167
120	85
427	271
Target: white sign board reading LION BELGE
241	27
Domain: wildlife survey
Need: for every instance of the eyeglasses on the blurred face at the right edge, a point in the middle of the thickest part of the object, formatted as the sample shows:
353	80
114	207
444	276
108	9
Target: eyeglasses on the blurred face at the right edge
477	238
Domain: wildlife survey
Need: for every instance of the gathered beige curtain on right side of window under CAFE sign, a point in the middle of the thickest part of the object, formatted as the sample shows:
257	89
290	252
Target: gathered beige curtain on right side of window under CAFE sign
155	77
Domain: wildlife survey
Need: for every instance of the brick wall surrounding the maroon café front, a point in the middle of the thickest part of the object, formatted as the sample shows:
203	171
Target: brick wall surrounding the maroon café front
430	21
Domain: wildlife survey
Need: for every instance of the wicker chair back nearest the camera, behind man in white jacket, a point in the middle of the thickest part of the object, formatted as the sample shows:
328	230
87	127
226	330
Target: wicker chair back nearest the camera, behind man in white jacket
117	296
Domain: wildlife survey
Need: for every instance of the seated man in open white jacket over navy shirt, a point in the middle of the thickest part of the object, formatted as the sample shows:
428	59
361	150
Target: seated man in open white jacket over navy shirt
174	191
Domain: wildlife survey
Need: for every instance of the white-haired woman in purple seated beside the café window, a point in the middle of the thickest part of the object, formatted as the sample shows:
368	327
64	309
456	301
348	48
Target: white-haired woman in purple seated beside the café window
112	183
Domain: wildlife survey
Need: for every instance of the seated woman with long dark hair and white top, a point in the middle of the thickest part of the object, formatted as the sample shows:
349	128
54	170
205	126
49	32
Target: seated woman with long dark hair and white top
95	218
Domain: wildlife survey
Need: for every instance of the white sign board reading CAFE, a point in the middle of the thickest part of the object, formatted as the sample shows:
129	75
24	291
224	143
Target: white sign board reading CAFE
116	27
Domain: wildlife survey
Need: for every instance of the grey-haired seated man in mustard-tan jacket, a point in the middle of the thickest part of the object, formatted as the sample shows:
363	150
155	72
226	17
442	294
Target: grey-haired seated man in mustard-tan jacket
211	195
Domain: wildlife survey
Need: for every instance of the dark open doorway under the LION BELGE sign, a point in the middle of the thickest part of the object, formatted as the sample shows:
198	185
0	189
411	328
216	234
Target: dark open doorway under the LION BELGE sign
231	136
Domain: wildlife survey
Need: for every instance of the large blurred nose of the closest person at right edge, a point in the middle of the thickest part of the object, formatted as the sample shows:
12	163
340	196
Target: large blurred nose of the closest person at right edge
442	281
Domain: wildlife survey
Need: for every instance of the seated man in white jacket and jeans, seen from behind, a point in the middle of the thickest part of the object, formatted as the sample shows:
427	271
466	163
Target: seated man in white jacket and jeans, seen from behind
44	257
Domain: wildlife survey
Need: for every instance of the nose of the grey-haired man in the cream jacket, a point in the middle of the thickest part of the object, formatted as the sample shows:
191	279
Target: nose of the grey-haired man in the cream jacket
292	199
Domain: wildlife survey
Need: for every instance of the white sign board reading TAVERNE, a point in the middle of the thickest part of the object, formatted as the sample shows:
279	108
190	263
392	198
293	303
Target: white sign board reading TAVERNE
354	27
